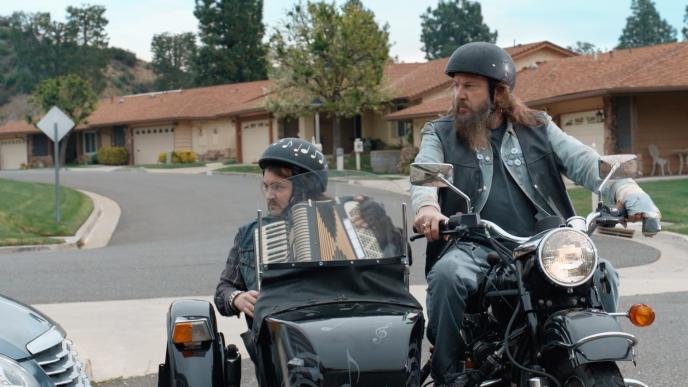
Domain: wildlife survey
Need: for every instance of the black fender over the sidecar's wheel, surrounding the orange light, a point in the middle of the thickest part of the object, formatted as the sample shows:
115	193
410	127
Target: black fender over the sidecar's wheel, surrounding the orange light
202	366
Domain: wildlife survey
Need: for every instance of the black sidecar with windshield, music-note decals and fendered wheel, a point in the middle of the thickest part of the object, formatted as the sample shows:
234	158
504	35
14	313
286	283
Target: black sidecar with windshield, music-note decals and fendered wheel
334	306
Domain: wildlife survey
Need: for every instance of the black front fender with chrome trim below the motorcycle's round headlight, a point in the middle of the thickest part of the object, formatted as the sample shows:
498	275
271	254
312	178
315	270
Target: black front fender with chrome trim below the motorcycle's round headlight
585	336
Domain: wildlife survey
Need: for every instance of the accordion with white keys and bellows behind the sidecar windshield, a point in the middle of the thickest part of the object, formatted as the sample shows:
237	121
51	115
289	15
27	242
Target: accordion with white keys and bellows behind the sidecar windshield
318	231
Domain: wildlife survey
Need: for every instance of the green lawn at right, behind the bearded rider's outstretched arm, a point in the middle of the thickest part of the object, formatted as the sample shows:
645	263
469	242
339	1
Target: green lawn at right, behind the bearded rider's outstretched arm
671	196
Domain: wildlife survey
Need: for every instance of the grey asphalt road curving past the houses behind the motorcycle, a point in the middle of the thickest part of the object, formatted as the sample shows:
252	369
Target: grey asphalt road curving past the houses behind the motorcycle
175	232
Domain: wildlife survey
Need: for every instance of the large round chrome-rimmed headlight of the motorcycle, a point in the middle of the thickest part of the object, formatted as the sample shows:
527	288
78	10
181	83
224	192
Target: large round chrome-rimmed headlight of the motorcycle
567	257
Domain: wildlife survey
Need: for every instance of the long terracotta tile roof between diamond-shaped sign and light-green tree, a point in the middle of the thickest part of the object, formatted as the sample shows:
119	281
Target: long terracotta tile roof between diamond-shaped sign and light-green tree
202	102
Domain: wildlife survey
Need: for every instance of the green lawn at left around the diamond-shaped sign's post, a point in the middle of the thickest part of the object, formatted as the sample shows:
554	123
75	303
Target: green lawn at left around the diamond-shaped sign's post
27	212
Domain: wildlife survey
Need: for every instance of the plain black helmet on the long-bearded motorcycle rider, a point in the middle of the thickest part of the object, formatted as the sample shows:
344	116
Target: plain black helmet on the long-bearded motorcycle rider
484	59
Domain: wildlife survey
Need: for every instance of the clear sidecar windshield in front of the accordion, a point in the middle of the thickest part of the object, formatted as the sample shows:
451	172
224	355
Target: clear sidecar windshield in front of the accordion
335	218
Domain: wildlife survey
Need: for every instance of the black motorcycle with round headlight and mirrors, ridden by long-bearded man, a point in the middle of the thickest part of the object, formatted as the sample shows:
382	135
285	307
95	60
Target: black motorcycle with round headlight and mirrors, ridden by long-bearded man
537	318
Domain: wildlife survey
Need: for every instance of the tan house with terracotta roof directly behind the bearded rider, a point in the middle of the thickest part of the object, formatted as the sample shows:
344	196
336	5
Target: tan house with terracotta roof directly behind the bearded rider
616	102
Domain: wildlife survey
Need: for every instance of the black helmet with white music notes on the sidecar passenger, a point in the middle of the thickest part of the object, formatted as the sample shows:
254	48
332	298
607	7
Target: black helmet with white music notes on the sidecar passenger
300	155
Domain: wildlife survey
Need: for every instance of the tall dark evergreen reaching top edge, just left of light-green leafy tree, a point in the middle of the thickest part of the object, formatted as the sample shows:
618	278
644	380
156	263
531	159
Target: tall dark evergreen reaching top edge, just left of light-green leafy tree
231	33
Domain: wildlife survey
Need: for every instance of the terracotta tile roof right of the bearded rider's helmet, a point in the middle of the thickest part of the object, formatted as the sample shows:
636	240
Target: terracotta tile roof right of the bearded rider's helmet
639	69
